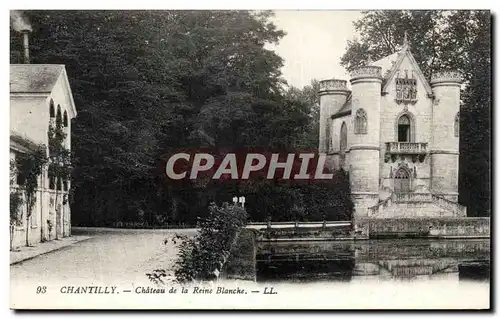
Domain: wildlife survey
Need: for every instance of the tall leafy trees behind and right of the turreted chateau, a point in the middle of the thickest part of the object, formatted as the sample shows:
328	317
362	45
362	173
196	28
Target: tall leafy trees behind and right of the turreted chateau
459	40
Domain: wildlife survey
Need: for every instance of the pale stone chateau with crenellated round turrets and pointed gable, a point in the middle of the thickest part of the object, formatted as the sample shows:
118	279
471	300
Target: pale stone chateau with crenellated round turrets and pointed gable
397	135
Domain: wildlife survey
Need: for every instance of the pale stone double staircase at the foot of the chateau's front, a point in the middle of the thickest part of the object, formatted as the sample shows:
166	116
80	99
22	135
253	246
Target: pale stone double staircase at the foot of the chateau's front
416	205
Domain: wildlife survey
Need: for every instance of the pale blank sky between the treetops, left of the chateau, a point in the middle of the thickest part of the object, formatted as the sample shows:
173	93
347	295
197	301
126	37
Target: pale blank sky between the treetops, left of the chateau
314	43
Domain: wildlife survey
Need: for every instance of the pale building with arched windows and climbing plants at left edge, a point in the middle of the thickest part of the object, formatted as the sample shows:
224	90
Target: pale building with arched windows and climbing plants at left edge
40	97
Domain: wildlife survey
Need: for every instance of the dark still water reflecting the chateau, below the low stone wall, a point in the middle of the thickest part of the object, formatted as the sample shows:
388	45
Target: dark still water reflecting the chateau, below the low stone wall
402	259
